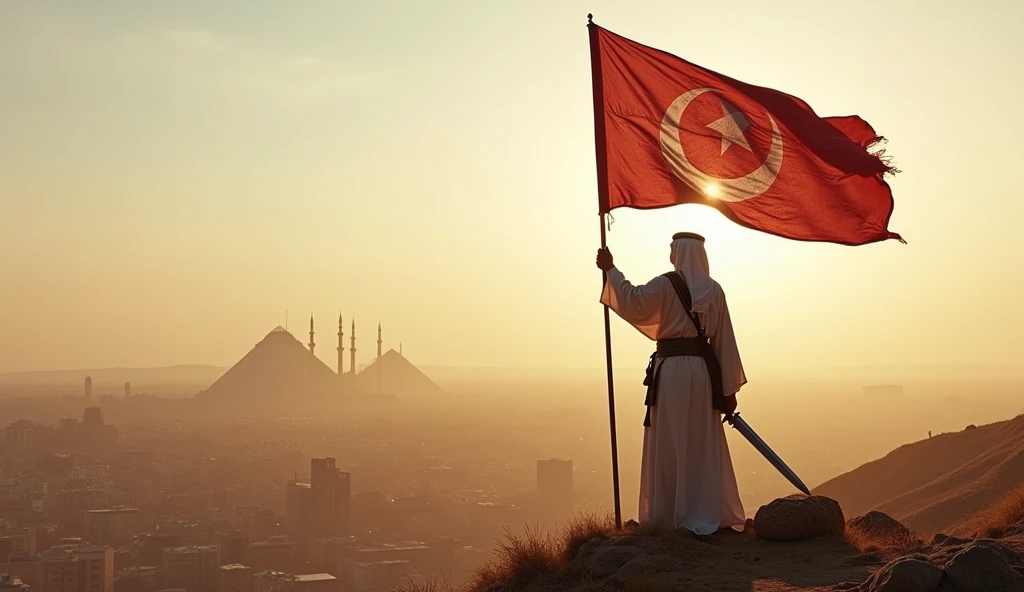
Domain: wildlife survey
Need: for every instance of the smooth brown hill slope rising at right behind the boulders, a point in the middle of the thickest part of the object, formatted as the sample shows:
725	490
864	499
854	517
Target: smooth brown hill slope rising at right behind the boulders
933	485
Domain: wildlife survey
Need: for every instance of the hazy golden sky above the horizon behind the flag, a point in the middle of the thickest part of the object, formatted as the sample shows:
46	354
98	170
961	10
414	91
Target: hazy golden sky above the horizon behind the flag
177	176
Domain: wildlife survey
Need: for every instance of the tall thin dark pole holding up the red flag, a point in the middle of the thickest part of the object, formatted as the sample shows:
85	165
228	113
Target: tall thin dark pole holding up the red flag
603	190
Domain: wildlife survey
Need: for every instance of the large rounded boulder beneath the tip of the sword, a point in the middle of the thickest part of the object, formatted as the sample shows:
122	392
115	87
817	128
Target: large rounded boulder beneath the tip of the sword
796	519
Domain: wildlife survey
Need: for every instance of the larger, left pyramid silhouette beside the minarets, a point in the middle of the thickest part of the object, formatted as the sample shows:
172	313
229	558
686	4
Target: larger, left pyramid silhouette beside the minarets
279	372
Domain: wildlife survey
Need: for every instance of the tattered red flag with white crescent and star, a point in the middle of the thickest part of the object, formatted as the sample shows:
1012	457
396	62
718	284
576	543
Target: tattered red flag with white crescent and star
671	133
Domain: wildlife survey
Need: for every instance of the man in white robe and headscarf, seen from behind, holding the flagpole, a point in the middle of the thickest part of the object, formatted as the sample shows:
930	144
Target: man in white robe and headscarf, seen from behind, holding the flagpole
687	478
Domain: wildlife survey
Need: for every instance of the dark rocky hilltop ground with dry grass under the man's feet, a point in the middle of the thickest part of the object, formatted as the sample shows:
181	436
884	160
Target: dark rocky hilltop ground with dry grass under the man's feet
793	544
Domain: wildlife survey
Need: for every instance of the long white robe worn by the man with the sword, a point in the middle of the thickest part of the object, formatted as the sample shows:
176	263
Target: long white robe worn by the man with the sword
687	478
